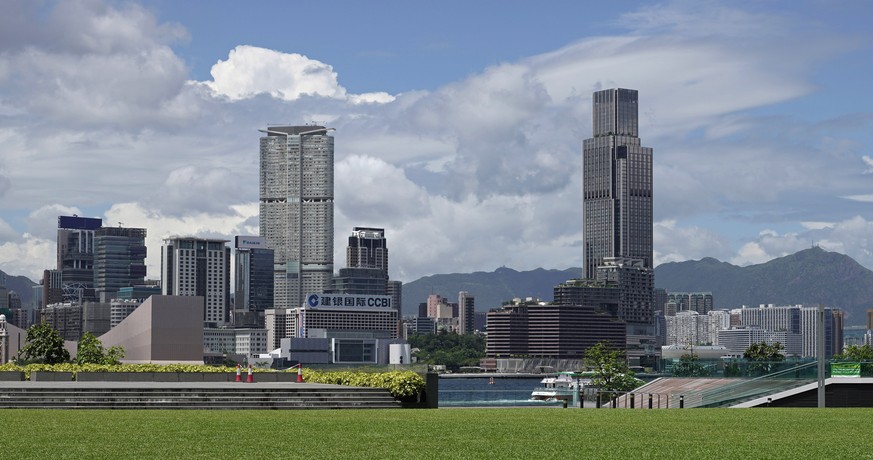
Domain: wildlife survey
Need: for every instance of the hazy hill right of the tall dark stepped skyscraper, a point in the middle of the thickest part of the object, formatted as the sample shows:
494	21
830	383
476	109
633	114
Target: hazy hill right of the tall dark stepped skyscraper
811	276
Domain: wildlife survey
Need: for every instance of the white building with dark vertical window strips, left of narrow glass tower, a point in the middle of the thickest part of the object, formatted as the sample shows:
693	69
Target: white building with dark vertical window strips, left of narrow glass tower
198	267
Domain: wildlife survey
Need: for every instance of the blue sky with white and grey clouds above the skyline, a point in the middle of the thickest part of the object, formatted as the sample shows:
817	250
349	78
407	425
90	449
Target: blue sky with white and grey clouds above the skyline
459	124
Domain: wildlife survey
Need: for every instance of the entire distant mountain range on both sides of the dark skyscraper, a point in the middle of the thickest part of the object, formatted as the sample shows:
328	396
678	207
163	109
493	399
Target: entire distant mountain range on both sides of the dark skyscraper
811	276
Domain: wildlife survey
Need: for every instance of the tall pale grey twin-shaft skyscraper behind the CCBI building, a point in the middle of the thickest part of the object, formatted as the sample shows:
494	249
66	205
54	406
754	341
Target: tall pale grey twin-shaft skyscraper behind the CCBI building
296	209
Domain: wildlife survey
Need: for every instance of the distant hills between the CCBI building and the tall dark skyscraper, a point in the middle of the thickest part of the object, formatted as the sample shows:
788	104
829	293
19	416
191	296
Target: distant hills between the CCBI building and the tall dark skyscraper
491	289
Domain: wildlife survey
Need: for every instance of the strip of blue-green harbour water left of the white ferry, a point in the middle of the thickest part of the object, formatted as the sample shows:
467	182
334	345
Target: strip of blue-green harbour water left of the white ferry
490	391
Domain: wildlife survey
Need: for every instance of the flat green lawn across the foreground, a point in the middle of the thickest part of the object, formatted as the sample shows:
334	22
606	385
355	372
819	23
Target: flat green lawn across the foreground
444	433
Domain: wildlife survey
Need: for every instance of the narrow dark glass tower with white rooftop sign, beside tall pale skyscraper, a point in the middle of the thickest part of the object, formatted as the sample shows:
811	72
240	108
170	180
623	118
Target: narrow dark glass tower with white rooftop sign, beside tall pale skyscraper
254	281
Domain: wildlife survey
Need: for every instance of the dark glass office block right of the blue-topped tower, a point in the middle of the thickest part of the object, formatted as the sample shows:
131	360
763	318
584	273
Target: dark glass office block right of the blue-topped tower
119	260
